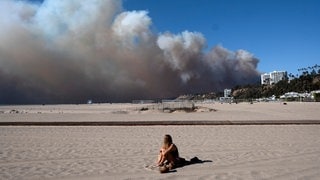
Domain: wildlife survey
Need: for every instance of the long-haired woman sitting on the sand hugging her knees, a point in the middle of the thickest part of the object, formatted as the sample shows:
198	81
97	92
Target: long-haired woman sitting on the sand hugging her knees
169	154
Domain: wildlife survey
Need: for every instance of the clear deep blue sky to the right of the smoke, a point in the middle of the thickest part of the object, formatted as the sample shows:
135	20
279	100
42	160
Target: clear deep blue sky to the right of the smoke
284	35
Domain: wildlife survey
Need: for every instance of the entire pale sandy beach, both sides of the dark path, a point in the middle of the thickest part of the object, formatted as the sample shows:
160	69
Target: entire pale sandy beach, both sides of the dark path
123	152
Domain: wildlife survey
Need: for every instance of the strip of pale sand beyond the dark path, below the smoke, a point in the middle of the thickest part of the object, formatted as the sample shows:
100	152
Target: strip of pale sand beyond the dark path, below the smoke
131	112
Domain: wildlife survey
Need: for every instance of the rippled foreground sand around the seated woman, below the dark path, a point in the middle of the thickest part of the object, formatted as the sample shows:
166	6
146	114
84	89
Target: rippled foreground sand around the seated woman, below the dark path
102	152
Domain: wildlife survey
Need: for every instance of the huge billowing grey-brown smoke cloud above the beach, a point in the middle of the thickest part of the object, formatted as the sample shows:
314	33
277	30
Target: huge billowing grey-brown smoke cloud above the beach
70	51
